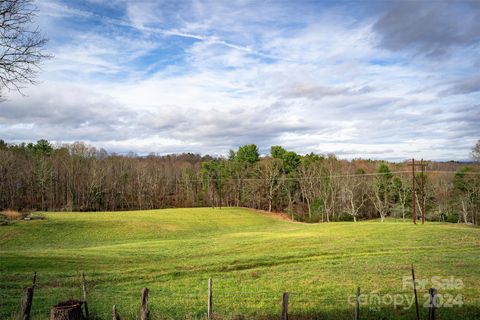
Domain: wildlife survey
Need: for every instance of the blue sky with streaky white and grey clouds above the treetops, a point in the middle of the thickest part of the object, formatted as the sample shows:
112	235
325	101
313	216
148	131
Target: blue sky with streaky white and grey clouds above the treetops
385	80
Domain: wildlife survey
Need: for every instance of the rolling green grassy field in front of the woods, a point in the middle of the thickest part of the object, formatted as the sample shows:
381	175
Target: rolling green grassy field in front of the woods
252	257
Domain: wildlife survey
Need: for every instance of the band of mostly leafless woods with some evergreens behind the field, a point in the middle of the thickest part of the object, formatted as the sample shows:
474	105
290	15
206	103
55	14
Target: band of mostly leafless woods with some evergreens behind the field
311	187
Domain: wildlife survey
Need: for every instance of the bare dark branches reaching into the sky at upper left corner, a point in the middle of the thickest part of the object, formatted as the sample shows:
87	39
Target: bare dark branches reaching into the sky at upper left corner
21	45
